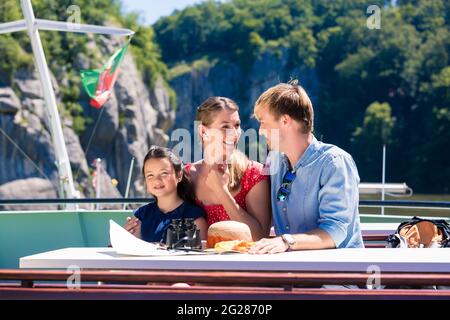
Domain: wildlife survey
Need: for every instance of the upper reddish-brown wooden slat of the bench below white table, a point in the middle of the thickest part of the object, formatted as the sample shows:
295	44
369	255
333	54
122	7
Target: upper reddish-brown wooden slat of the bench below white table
262	278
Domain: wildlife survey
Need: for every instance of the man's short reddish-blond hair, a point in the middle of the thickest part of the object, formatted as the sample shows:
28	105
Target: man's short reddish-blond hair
288	98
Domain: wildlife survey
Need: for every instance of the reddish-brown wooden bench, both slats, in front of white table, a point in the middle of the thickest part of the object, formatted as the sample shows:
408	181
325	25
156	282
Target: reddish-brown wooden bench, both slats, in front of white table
132	284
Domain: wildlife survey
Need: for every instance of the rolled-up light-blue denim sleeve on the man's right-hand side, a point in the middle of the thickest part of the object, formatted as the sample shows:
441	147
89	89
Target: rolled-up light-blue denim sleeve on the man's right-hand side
338	197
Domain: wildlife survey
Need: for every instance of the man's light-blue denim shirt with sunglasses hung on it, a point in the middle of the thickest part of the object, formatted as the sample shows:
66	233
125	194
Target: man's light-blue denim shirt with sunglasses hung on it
323	195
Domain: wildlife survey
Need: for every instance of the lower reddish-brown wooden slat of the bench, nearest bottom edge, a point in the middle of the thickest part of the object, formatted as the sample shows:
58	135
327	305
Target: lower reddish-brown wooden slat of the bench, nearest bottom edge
214	293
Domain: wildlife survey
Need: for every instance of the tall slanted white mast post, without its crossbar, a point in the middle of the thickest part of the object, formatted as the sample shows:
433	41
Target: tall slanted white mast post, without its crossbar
62	158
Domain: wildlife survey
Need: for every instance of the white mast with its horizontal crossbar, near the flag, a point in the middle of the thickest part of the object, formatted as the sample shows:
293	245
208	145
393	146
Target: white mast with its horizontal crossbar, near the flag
32	25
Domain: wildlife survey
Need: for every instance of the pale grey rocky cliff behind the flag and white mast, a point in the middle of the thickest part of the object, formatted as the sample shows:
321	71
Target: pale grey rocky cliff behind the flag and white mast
135	117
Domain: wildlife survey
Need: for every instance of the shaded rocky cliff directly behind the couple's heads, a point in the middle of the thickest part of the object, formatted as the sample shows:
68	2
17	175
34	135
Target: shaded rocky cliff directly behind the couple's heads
243	84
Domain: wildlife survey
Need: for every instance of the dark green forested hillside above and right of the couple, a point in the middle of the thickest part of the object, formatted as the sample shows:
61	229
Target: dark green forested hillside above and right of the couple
406	64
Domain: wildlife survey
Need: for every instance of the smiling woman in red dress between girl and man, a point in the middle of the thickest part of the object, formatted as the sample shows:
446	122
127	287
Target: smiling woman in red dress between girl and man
228	185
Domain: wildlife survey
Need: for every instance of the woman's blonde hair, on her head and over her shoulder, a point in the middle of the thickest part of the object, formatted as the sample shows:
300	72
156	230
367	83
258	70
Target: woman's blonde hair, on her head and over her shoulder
238	162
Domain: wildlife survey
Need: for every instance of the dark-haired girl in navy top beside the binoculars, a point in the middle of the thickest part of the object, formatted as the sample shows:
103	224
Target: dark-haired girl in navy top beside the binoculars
165	180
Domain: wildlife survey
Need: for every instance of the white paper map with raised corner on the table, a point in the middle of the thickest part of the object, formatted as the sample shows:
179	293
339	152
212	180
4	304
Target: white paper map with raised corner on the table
125	243
